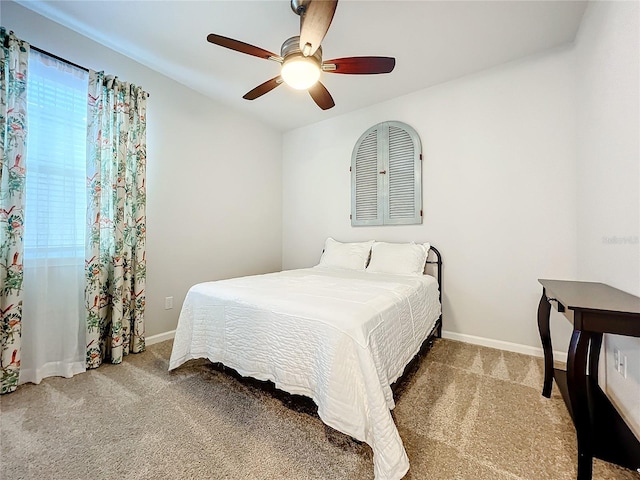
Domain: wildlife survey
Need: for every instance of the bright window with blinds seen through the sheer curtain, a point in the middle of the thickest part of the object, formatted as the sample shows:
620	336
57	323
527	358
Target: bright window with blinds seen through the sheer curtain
55	207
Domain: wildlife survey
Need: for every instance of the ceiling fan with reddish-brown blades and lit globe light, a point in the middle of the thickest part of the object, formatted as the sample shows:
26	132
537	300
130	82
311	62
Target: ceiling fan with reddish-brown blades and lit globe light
301	56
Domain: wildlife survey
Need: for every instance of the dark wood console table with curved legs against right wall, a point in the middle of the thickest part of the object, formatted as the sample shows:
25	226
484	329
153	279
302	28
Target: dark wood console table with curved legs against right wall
593	309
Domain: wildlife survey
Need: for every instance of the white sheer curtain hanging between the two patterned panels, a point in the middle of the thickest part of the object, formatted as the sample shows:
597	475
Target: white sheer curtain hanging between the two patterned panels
53	323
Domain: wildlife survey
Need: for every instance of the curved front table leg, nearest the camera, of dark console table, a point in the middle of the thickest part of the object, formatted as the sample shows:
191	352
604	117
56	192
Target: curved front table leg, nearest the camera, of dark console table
578	393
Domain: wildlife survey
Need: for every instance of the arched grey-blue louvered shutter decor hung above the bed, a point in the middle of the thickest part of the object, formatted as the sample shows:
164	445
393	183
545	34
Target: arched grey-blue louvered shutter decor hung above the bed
386	176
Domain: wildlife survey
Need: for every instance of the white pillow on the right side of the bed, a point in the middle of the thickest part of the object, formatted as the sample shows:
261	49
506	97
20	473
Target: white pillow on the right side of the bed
398	258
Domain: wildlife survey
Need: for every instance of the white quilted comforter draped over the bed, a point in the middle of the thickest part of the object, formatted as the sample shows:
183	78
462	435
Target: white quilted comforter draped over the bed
340	337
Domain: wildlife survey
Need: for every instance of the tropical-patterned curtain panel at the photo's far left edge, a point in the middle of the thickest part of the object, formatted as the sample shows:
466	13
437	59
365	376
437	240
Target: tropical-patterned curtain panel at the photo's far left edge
13	136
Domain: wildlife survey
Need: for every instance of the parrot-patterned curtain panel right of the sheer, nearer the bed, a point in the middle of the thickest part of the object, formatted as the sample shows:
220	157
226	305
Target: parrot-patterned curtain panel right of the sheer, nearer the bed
115	263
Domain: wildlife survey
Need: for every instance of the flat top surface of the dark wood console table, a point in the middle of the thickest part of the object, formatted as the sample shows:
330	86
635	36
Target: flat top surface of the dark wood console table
591	296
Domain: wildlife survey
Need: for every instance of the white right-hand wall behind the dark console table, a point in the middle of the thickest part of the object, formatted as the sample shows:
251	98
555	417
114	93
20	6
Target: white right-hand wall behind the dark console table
608	55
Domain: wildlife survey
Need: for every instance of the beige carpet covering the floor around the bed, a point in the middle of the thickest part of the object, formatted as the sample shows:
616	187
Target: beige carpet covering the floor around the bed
464	412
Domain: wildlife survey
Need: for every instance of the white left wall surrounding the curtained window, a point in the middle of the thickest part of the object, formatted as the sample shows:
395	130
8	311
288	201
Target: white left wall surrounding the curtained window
200	224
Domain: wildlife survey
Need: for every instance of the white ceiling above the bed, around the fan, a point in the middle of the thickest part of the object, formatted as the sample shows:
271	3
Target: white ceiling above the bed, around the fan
432	41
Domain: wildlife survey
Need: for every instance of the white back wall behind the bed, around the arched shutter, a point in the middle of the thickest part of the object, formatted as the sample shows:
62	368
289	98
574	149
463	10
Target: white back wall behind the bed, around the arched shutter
498	186
